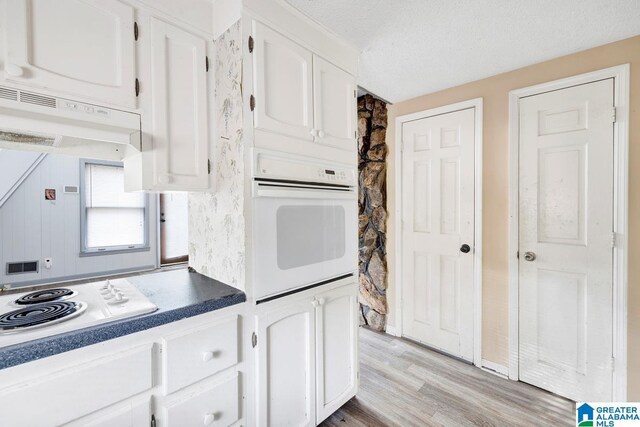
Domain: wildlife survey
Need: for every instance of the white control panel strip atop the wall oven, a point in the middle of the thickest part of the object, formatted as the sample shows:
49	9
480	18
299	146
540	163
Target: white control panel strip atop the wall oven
294	169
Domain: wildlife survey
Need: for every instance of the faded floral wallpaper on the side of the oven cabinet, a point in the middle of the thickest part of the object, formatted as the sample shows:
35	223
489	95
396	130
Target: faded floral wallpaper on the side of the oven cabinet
216	220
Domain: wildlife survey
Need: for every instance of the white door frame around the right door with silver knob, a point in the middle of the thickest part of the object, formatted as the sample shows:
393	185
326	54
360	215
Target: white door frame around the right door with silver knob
621	75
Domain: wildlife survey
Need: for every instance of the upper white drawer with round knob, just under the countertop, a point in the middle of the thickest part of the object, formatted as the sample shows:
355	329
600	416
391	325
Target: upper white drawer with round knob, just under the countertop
197	354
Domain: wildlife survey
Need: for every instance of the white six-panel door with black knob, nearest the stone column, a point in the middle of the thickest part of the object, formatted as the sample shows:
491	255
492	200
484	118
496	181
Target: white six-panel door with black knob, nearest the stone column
438	220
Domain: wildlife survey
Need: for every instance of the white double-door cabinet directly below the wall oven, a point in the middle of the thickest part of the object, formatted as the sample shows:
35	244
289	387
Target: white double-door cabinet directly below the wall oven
307	363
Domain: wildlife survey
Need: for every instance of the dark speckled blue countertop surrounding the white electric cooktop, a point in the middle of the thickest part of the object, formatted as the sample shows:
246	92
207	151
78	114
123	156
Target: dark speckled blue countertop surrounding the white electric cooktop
178	294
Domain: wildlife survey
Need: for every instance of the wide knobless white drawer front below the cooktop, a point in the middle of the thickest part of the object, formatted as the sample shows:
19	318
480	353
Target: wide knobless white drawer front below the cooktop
69	394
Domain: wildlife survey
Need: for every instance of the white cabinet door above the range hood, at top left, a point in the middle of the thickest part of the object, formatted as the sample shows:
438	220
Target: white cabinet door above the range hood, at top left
77	47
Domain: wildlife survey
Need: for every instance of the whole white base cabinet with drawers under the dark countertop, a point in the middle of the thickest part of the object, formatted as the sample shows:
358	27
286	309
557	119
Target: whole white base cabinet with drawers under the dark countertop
185	373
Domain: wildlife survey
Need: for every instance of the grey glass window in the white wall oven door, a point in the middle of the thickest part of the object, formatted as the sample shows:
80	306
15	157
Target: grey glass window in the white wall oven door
309	235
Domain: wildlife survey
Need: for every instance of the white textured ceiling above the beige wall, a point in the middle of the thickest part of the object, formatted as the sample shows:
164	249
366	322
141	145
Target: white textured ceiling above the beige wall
413	47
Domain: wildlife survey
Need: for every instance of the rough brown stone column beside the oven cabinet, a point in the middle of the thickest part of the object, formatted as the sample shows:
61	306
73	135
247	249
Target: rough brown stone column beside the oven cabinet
372	201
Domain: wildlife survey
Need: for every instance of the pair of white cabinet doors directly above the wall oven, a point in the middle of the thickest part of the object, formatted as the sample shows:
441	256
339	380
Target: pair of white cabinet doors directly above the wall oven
300	95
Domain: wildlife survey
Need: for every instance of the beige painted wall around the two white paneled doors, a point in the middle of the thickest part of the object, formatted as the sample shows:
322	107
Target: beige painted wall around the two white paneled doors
495	92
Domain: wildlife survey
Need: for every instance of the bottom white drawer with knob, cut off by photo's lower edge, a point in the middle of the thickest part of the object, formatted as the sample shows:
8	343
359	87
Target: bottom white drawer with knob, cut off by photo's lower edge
217	405
